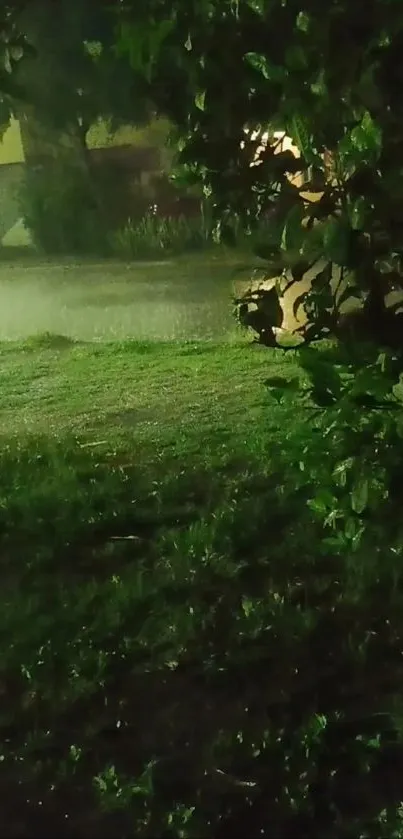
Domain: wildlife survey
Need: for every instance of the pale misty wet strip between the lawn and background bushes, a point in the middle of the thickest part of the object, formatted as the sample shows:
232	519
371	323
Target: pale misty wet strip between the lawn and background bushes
188	297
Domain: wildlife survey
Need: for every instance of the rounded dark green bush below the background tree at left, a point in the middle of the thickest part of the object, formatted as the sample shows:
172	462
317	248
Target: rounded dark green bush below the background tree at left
62	211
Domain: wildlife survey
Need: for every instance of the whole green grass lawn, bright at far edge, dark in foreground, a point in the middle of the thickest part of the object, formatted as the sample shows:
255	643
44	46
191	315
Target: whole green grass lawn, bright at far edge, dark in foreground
178	654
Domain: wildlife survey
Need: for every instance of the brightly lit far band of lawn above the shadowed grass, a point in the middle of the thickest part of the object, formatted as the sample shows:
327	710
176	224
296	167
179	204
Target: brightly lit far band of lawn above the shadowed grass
151	395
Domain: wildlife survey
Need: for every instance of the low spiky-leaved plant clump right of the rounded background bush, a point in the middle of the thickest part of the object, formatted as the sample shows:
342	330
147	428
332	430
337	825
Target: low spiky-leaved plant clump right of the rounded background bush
154	237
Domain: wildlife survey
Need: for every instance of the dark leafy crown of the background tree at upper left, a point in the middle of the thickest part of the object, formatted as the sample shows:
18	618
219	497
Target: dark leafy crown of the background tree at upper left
73	76
